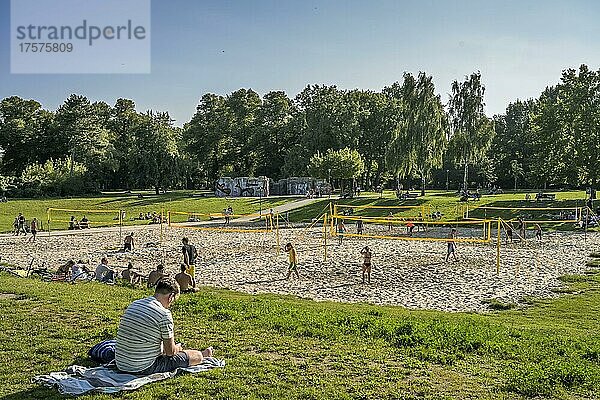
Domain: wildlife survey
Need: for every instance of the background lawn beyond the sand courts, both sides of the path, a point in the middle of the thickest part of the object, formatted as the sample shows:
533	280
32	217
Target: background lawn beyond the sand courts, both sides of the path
445	202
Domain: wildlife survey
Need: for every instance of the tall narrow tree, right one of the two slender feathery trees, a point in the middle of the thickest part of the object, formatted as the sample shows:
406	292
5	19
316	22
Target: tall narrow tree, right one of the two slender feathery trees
471	130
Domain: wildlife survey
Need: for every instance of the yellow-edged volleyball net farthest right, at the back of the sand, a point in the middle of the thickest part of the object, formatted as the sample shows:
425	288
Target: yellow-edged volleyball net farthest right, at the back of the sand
539	215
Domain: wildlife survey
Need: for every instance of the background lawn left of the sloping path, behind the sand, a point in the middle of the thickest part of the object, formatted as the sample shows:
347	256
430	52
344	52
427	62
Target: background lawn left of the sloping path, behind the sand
174	201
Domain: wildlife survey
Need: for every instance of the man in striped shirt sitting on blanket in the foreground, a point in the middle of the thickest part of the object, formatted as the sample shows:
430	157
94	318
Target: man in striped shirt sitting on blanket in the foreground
145	338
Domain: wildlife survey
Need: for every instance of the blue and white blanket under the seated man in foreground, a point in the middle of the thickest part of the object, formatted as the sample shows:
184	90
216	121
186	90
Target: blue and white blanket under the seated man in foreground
77	380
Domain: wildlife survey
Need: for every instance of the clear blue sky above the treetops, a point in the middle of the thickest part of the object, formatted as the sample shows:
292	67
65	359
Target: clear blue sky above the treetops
219	46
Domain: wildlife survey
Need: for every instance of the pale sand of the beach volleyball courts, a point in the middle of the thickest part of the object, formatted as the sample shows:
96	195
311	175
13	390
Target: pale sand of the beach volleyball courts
411	274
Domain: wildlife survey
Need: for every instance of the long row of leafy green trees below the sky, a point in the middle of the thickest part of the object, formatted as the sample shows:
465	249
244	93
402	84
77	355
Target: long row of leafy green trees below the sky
404	134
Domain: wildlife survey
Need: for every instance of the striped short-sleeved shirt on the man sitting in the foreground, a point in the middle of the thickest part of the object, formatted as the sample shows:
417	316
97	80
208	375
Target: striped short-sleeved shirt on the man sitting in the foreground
141	331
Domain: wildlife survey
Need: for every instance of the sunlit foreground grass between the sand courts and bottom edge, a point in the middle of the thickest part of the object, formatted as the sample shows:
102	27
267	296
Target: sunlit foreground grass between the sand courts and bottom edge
279	347
